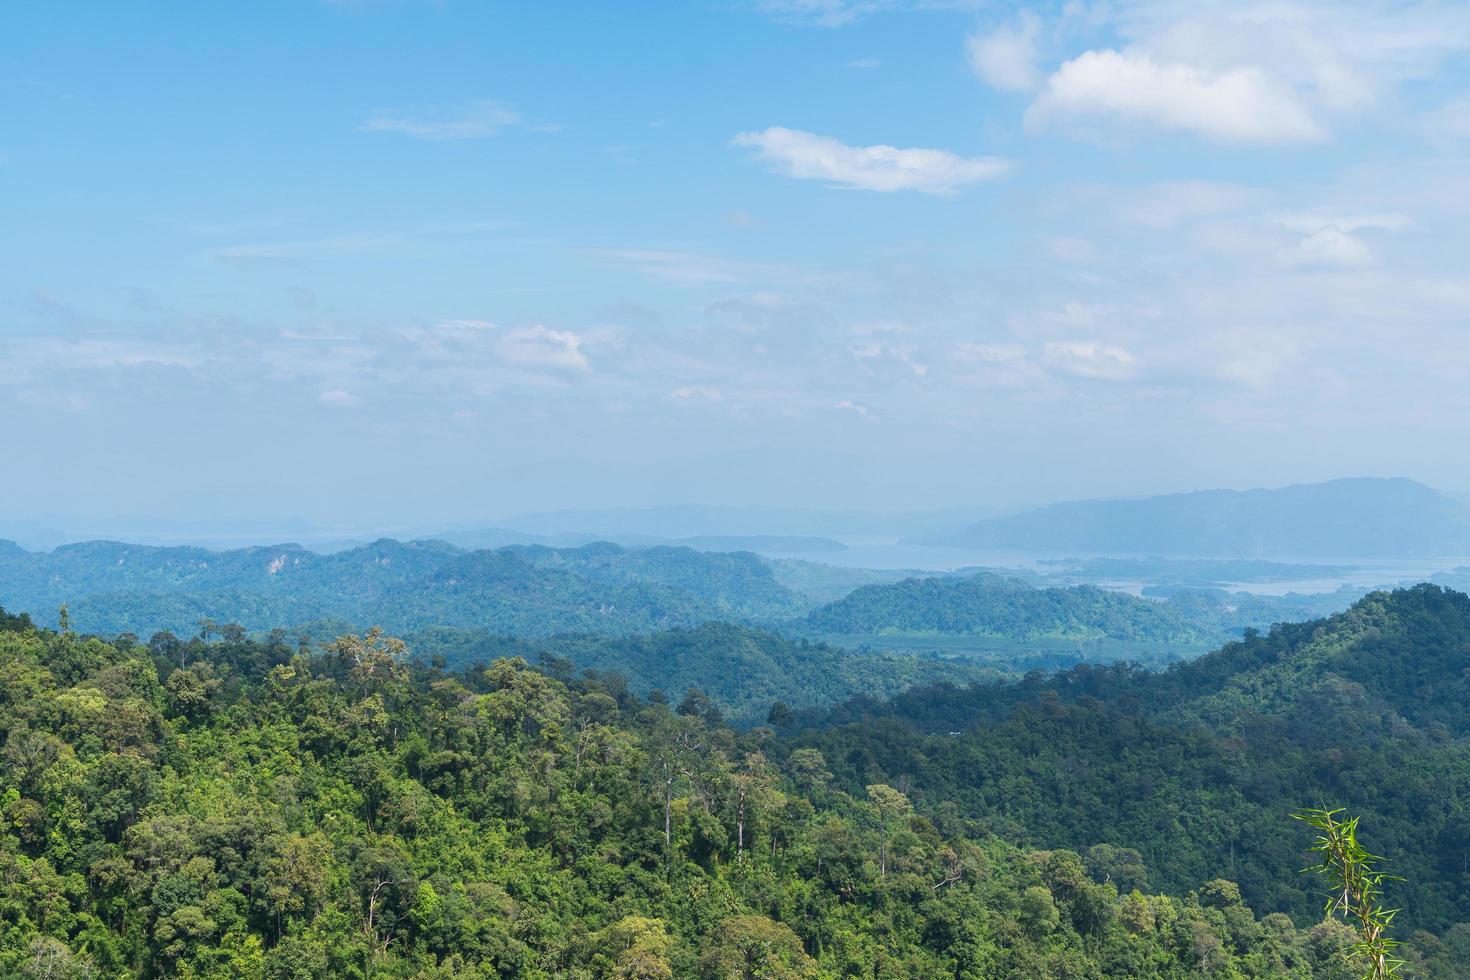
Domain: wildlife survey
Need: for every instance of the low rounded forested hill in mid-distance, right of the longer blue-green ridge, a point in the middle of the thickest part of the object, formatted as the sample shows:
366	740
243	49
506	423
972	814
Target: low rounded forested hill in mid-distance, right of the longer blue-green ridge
996	606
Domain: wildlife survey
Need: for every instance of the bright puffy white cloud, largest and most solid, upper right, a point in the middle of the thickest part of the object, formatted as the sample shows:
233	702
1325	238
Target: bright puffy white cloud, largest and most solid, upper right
1238	105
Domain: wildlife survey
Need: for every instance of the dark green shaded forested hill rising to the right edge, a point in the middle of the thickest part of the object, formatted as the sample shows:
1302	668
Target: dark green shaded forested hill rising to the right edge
1369	710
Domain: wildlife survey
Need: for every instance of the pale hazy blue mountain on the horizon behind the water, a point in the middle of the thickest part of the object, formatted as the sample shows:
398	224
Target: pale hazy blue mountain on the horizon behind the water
1349	518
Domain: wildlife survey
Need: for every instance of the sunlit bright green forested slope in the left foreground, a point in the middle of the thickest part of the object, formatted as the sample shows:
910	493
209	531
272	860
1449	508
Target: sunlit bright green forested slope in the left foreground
242	809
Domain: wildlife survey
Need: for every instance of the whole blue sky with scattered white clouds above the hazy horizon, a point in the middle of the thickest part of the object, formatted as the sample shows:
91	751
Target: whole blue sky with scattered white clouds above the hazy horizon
390	261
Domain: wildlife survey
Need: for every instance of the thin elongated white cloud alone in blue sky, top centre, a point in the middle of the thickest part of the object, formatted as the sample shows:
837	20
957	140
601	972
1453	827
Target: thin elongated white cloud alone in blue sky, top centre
880	168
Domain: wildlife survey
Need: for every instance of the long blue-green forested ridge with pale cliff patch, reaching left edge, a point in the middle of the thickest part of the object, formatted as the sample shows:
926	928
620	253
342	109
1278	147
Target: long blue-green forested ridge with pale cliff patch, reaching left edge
527	591
